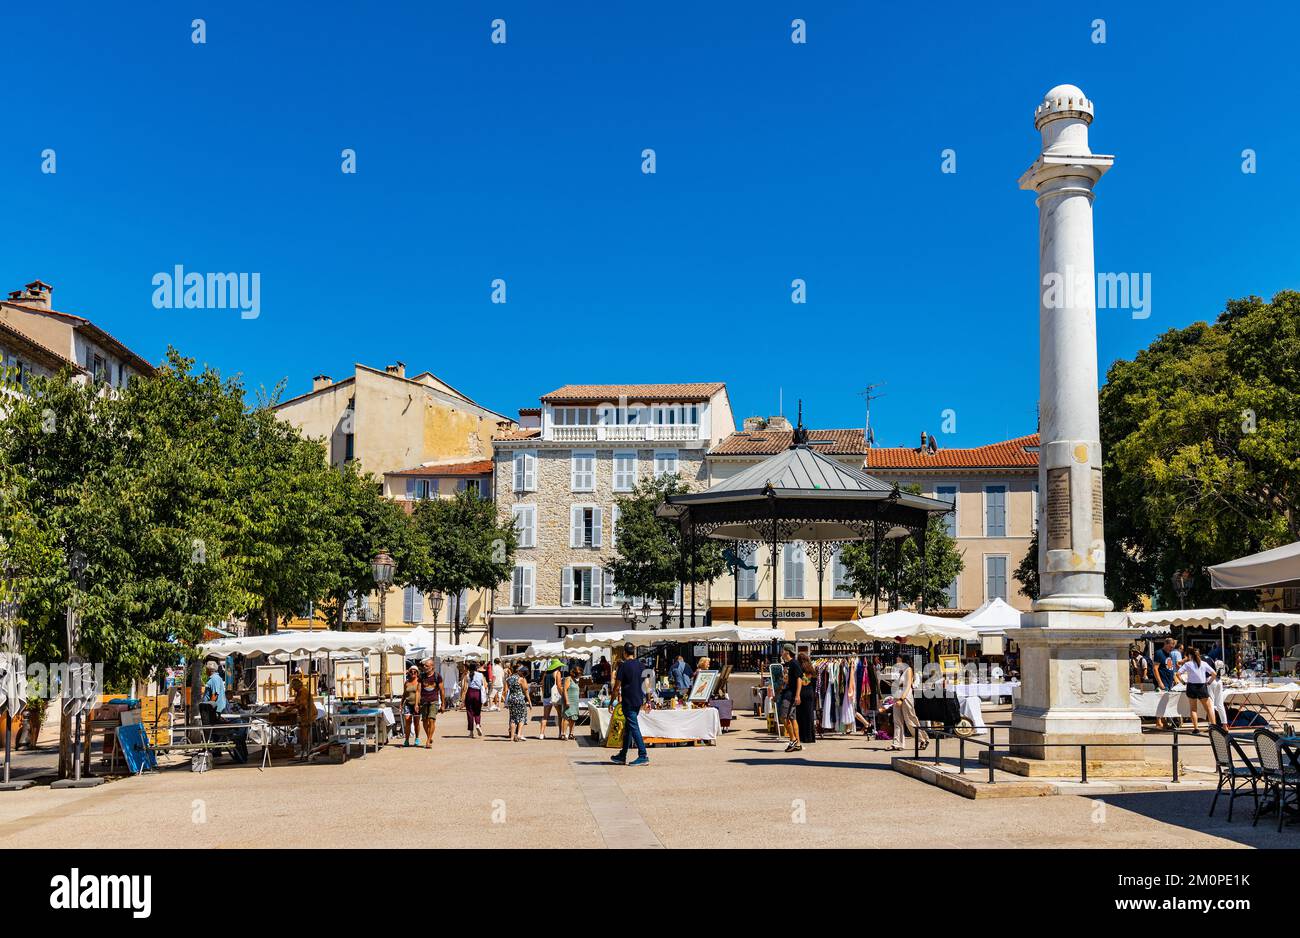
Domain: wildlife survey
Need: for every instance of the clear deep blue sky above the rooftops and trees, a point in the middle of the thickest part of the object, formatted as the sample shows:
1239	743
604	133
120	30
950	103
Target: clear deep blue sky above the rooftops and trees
523	162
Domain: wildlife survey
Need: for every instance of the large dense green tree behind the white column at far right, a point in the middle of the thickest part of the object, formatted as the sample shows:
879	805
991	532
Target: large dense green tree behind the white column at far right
1202	444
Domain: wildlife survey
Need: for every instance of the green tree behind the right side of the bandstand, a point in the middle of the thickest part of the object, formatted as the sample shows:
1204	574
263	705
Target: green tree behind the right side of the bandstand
902	581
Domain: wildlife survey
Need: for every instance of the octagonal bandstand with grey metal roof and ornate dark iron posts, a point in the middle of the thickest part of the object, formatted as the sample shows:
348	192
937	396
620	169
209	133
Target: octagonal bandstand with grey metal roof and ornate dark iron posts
801	496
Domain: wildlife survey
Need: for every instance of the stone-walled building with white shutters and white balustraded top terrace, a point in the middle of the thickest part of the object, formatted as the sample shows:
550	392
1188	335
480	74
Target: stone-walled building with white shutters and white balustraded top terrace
560	483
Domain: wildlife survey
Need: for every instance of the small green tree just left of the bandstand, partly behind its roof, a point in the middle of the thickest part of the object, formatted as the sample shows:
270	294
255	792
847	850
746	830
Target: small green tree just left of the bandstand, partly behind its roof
649	561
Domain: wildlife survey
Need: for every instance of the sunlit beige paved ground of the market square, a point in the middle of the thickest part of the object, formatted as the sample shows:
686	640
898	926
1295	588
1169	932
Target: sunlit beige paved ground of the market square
491	793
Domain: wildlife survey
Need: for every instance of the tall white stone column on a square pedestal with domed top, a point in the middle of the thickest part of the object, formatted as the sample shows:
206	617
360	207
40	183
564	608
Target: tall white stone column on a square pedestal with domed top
1074	652
